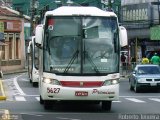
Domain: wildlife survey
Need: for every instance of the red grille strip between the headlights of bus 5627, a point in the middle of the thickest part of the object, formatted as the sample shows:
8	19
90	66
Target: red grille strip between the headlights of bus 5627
81	83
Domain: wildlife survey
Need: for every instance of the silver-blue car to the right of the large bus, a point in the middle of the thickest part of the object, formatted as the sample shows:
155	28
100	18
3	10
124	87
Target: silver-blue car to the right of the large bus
145	76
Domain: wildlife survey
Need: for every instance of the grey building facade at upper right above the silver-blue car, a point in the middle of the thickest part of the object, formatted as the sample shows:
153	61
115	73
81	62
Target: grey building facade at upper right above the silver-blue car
139	17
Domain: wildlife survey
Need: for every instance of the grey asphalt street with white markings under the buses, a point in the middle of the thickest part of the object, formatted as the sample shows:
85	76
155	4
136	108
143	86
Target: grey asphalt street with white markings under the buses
23	101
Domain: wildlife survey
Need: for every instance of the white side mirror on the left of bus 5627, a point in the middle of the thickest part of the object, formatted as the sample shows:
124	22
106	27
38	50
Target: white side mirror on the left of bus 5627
39	34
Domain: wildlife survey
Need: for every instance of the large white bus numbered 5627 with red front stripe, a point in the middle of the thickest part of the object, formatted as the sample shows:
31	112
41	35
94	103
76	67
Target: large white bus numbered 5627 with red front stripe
80	56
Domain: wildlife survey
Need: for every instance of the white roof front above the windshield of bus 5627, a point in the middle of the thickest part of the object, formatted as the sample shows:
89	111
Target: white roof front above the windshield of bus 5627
79	11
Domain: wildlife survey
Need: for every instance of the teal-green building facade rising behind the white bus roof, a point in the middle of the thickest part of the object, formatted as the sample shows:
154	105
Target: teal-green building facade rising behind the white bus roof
25	6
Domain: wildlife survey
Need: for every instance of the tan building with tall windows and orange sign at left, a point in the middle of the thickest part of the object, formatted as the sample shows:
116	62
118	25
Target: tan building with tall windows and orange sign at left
13	52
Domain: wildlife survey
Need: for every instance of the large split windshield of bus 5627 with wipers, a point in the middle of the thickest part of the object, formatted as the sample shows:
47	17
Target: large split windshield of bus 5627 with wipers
81	45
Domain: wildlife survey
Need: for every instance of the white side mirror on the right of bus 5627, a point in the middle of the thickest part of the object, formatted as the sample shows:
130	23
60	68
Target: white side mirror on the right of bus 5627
123	36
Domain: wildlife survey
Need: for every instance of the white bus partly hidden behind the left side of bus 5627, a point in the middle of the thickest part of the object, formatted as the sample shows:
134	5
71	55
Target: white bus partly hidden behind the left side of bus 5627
32	59
